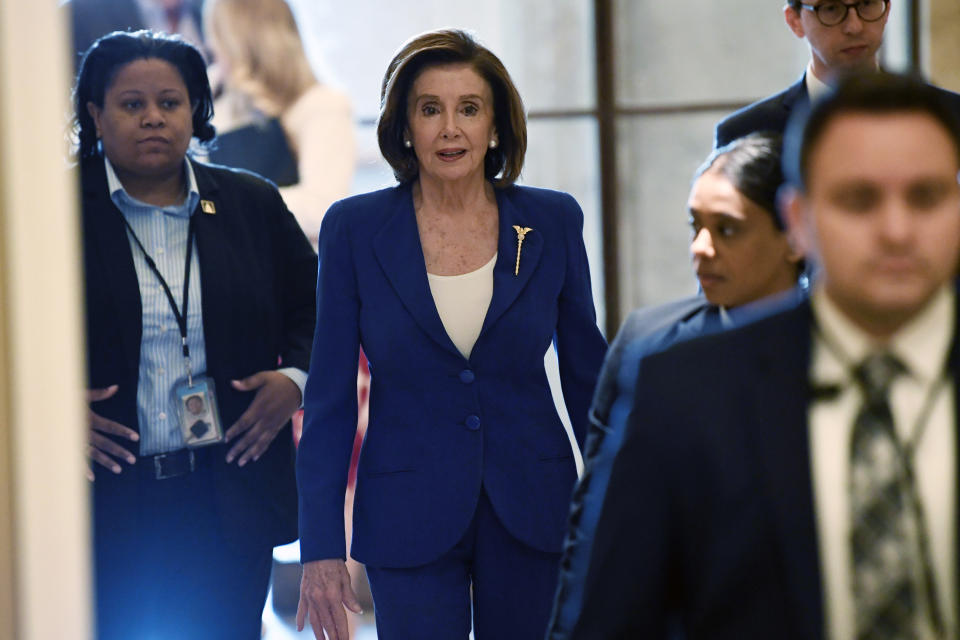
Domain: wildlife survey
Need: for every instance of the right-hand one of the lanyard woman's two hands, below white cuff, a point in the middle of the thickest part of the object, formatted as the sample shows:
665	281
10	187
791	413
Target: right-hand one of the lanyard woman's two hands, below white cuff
278	397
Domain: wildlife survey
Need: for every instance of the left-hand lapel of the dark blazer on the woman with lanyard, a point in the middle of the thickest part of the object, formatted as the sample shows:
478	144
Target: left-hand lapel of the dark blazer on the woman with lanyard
106	235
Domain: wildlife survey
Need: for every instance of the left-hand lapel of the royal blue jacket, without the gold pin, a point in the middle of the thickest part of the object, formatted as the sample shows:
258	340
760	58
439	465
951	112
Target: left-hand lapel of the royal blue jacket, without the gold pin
397	249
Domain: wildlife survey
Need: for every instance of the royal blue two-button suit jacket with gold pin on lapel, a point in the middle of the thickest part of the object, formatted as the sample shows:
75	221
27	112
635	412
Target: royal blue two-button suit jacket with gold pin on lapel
441	425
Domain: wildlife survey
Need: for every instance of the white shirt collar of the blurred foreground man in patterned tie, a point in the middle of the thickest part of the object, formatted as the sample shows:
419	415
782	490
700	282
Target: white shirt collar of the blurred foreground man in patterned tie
922	344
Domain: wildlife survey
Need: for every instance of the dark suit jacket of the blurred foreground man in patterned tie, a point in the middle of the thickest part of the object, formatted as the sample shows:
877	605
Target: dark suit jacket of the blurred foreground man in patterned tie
708	521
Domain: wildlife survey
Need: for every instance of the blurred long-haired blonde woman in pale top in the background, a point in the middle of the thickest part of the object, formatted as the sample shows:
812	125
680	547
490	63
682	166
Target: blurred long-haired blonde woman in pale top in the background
265	73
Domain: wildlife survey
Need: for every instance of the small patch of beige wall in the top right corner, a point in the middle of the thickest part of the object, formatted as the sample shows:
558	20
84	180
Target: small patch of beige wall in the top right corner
940	33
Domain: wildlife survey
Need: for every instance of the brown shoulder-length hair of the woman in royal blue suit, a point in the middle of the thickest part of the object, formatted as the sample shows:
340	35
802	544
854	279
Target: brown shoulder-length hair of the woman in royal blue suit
437	48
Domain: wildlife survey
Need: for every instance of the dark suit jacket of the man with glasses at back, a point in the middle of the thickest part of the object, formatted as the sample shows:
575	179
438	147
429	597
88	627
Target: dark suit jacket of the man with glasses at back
773	113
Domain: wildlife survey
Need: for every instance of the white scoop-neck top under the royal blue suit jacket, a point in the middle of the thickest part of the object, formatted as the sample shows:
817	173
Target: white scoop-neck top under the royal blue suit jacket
462	303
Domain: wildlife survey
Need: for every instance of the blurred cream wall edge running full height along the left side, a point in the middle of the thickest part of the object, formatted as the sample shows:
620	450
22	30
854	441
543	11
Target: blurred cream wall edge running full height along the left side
44	531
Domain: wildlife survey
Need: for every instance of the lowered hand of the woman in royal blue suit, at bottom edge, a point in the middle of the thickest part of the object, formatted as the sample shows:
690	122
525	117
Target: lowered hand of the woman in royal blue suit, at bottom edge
324	591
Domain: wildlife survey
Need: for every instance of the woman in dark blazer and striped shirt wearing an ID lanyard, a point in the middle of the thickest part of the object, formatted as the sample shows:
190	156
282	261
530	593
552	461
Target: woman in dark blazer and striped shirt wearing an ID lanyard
199	320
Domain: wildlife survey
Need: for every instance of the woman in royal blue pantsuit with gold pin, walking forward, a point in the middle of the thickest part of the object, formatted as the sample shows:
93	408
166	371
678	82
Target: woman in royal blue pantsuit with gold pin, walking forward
455	282
